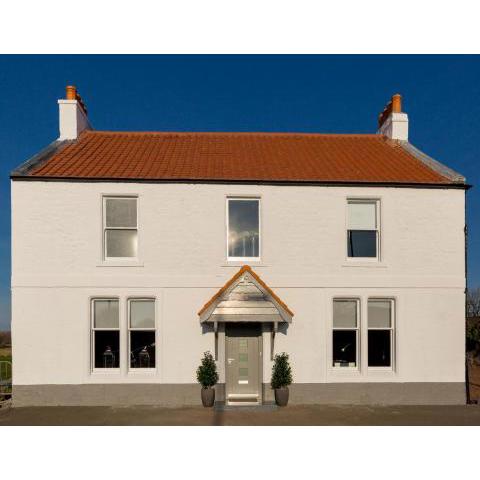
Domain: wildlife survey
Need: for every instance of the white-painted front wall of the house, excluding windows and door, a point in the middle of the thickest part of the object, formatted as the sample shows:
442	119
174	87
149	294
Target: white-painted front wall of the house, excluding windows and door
57	267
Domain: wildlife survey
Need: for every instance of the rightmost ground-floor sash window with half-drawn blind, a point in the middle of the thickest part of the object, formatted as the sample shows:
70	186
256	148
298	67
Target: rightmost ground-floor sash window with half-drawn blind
380	332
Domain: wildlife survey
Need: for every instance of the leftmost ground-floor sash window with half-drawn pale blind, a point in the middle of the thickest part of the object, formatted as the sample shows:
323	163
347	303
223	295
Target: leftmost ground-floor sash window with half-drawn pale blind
105	333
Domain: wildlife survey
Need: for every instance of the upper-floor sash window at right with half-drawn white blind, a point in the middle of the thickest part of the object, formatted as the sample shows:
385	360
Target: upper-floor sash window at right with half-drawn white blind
363	229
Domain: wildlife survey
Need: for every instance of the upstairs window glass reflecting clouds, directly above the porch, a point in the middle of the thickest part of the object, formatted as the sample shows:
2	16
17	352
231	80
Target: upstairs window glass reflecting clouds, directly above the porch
243	231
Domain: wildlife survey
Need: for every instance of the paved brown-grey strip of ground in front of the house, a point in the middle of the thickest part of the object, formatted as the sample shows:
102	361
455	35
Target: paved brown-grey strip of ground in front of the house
291	415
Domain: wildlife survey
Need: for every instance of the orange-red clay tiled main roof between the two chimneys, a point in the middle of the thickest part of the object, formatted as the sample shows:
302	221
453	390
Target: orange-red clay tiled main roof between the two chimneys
255	157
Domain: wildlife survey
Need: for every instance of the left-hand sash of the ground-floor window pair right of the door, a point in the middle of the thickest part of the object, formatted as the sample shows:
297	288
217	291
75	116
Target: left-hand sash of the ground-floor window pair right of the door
345	332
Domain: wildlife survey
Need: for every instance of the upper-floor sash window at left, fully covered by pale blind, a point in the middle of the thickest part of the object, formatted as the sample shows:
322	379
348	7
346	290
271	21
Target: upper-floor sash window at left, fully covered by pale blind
120	229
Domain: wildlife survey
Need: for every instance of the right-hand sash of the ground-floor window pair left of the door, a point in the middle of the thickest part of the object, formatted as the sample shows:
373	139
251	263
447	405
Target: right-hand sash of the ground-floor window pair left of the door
141	327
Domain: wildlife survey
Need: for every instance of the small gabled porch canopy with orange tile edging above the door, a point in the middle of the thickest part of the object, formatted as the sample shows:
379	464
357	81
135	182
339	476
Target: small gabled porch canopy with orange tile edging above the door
245	298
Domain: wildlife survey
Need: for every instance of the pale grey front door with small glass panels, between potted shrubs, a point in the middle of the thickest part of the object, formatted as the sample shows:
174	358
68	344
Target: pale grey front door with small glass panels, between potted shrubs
243	364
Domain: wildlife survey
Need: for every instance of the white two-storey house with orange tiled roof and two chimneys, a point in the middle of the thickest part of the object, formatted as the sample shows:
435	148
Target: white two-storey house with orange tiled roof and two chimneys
135	252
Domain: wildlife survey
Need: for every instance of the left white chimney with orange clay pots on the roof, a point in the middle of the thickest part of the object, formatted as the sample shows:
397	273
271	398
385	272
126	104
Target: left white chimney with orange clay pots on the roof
73	115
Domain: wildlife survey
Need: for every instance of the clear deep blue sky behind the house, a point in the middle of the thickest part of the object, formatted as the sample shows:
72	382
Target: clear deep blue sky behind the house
329	94
